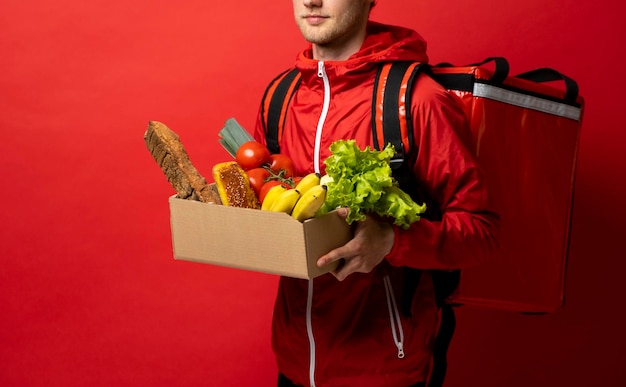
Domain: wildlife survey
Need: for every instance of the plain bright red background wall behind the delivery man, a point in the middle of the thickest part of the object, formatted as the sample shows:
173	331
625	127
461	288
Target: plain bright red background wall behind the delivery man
89	292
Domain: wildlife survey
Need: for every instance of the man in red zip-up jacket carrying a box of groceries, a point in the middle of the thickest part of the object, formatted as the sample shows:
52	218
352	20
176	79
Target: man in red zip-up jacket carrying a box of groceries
348	328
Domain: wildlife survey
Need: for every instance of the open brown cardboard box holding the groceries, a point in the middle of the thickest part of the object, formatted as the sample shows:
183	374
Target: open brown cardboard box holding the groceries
263	241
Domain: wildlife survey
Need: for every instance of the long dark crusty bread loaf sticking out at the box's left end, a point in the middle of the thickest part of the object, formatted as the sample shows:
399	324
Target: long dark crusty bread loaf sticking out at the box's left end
169	153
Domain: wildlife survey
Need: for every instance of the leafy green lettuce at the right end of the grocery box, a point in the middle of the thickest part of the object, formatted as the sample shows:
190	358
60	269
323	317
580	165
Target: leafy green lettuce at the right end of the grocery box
361	180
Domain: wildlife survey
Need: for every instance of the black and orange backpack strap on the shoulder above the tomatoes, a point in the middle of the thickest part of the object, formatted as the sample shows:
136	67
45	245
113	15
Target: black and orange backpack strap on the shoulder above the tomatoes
274	106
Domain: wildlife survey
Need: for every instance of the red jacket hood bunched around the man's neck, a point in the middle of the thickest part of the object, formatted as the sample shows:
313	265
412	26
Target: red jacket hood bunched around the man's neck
383	43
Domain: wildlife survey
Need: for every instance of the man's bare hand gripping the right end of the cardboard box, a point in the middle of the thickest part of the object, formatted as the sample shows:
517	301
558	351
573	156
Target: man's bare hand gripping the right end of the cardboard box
373	240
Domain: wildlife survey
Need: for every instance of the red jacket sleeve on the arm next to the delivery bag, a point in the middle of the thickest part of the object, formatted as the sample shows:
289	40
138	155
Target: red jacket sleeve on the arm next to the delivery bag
447	171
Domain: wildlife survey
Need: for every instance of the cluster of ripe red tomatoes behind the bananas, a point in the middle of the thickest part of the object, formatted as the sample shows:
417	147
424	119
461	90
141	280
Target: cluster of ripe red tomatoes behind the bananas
265	170
